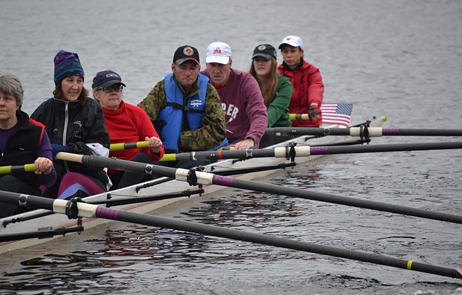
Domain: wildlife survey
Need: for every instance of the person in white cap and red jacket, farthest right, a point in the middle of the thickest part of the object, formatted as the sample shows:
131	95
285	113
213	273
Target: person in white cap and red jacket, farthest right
307	81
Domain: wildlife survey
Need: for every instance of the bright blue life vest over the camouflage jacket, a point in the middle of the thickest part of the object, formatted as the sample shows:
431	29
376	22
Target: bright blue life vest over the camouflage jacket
170	118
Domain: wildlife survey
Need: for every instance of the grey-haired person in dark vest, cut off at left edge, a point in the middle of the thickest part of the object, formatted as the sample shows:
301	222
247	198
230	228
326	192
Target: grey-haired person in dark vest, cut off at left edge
22	141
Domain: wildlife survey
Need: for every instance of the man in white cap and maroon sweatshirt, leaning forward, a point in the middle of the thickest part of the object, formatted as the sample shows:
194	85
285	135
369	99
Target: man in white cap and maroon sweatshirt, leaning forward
241	98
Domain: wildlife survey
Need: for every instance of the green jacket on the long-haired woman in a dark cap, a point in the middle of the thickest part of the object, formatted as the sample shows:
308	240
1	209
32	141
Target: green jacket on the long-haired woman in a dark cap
278	112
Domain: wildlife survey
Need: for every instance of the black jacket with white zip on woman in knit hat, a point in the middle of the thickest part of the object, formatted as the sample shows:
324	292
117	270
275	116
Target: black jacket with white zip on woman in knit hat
85	125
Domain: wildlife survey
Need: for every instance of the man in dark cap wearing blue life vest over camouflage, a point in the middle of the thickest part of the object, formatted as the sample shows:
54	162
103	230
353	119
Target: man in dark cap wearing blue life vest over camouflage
185	109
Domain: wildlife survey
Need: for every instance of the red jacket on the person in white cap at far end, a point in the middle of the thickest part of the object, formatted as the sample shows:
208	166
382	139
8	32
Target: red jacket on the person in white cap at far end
308	88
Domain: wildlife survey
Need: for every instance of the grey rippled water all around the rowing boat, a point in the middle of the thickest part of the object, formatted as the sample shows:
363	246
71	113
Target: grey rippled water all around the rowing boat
400	59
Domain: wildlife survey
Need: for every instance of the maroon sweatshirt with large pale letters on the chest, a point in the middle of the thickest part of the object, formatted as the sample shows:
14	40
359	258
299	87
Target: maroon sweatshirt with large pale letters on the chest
245	111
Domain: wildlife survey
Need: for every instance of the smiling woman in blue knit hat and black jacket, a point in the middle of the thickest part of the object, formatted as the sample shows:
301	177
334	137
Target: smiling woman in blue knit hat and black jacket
75	124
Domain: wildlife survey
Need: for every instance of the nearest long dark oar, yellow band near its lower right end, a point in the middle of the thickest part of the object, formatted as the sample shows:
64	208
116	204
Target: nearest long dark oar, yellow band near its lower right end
76	209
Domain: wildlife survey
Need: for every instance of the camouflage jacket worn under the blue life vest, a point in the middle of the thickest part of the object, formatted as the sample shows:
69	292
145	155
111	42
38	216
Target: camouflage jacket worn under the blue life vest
213	130
